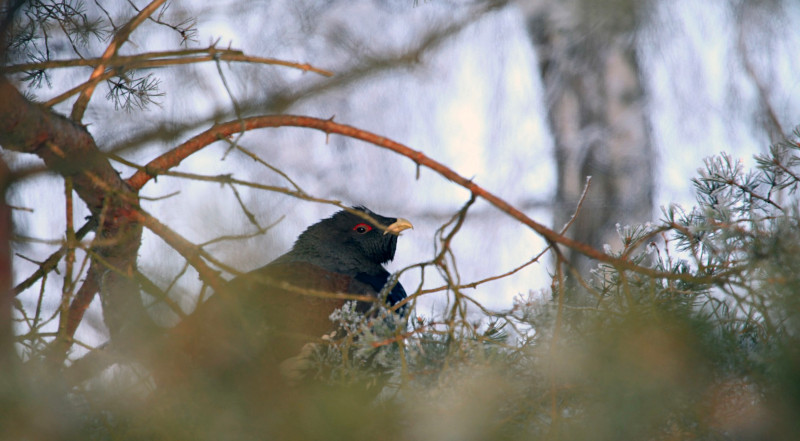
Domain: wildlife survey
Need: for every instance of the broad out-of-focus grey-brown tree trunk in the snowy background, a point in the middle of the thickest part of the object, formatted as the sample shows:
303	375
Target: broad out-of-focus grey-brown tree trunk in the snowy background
596	111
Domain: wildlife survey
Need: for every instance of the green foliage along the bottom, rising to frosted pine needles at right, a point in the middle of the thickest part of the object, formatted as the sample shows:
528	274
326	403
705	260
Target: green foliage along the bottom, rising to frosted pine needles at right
707	350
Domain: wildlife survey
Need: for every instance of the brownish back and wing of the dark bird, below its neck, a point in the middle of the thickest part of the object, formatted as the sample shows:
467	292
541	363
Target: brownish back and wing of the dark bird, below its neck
263	317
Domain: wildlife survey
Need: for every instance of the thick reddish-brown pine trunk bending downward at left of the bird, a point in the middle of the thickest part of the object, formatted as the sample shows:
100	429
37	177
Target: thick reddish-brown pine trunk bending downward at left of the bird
68	148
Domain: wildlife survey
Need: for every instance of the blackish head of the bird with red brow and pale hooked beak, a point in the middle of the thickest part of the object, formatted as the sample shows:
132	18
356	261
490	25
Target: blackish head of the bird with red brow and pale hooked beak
350	242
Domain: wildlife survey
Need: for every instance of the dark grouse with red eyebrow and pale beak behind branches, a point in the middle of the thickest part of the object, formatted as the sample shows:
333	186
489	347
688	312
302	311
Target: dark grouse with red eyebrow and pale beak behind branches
267	315
